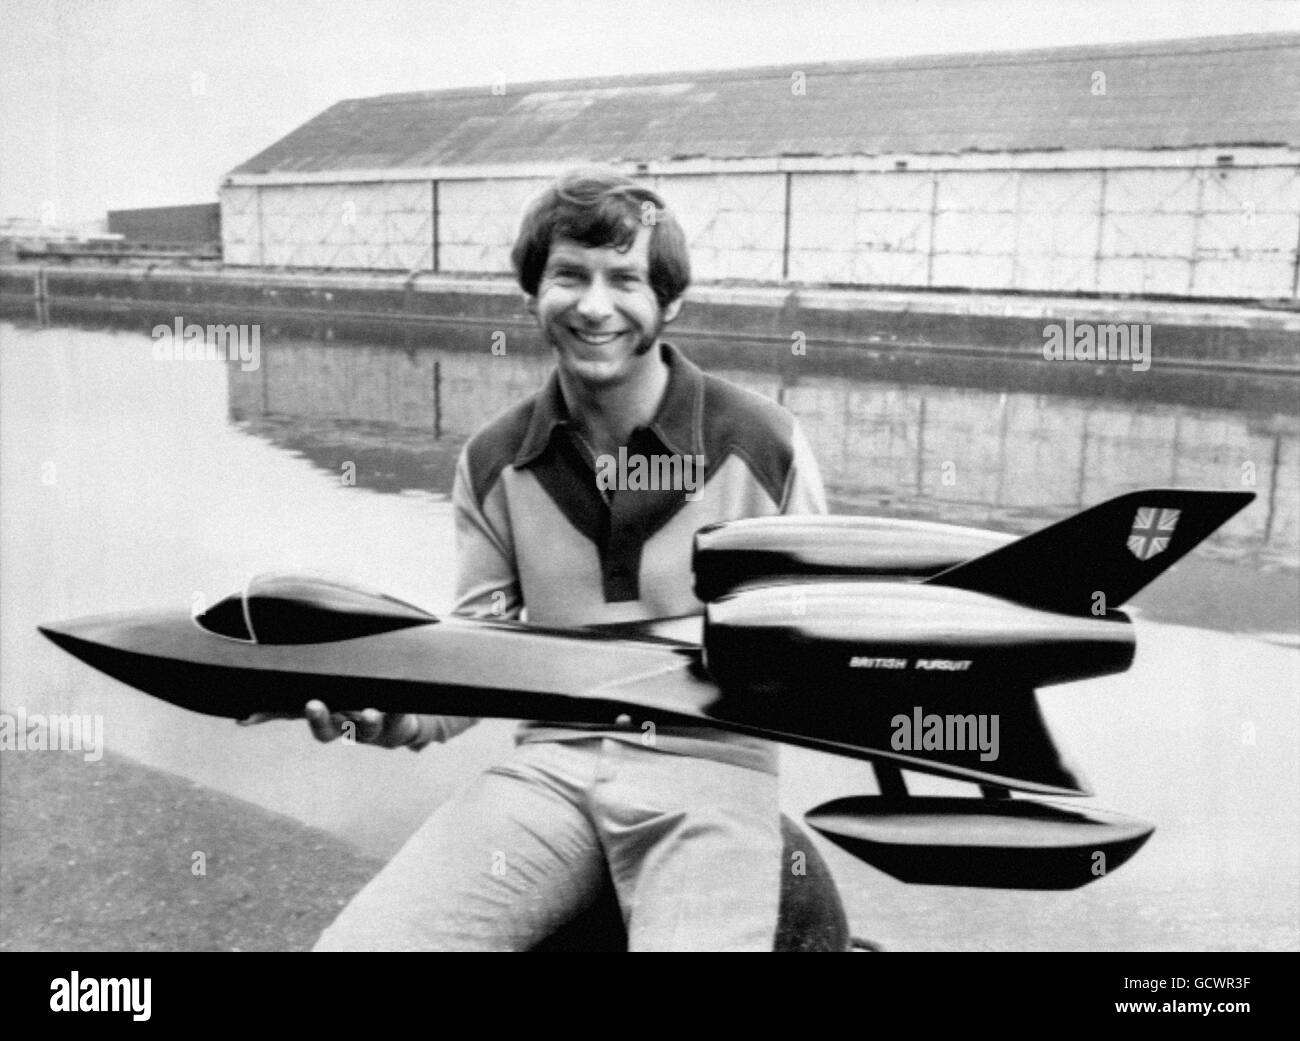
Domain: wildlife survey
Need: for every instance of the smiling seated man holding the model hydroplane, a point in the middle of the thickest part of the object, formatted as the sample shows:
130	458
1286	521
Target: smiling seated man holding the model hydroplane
687	821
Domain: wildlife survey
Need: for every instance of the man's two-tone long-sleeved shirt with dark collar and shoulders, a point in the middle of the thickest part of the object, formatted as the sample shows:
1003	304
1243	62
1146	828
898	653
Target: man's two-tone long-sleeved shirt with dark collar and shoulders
549	533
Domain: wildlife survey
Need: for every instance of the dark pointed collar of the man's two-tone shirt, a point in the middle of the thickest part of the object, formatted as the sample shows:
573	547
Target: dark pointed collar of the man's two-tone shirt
678	423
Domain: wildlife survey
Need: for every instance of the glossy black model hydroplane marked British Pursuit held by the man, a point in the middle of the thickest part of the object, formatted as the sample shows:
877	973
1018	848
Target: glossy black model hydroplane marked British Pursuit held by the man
912	645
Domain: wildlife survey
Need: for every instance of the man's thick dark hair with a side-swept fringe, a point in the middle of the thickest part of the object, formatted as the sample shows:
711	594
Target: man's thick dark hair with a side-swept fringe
599	207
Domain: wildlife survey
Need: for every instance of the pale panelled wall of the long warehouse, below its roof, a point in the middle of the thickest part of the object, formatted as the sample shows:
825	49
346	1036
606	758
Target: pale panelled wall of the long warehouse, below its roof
1198	232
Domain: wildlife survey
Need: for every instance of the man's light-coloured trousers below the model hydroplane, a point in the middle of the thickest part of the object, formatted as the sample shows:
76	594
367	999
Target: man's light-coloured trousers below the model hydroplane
694	848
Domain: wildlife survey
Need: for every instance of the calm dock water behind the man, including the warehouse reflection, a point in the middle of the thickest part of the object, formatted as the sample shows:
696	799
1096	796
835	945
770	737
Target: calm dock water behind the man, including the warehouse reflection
131	483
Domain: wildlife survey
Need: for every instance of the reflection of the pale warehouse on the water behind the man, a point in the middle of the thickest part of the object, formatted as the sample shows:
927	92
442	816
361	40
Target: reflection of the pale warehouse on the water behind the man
998	459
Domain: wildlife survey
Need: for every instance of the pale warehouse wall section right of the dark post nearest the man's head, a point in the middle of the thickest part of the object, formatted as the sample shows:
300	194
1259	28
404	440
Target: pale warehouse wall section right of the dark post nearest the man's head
1152	232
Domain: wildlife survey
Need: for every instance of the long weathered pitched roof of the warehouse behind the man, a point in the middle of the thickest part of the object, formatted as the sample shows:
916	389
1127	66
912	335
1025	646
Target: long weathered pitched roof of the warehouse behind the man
1171	94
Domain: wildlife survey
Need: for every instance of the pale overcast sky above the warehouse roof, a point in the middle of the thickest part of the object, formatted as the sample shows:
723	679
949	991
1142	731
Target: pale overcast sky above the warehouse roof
109	105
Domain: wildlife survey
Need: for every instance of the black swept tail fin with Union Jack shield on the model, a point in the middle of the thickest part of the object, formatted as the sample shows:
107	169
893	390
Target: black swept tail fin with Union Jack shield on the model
1113	549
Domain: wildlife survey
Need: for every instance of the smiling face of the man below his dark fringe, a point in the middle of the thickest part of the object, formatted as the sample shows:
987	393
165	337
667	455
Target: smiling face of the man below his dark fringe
597	309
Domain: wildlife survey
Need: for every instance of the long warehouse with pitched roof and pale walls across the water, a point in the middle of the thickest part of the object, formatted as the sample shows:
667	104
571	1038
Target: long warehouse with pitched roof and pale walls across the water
1156	170
